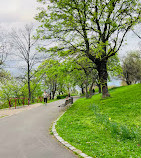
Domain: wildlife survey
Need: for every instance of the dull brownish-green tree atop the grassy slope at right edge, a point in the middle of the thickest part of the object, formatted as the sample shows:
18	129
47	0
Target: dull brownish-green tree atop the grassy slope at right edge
132	67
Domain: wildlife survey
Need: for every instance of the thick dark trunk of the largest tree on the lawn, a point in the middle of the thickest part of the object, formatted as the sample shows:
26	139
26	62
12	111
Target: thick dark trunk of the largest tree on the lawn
103	76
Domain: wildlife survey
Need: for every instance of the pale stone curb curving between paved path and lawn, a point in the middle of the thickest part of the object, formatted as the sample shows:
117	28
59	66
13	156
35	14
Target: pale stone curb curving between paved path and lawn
65	143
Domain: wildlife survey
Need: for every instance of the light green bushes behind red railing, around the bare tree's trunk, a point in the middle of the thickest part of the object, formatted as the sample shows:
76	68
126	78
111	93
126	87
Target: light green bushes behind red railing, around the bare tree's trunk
12	88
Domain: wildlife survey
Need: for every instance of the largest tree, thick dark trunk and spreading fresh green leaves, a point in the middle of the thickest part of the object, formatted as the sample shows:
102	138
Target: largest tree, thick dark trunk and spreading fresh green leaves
93	28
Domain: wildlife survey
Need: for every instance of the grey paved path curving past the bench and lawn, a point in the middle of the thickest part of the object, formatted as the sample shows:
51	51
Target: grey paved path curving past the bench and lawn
26	134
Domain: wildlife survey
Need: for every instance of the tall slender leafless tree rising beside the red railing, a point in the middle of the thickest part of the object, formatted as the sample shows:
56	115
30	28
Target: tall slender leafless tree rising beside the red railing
24	45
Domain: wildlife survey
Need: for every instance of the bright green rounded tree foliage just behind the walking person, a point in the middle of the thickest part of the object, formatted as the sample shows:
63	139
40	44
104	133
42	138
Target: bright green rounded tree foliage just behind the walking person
53	75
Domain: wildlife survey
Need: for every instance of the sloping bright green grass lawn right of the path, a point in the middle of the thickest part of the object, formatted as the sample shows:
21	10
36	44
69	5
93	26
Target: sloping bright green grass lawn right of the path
105	128
